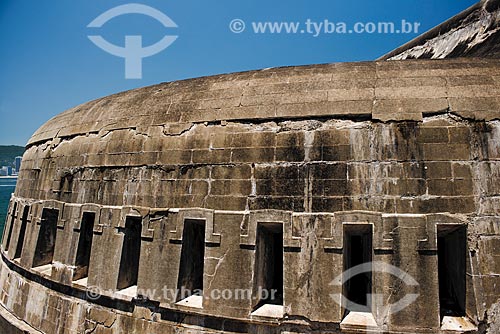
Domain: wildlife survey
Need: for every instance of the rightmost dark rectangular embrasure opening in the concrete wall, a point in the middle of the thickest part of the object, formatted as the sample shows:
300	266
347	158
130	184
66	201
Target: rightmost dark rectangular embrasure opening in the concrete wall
452	250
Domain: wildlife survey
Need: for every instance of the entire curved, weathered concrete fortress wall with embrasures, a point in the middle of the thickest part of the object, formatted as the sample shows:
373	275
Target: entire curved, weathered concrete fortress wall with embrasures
402	149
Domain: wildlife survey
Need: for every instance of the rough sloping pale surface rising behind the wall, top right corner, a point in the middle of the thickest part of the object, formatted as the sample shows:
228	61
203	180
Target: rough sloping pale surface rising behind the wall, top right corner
473	33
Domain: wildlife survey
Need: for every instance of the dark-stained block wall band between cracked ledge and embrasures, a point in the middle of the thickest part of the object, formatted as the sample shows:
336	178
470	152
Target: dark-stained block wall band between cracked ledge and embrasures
301	166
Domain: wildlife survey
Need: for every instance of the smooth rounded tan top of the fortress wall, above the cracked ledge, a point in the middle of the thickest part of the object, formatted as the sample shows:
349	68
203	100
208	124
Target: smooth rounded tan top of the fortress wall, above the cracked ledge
375	90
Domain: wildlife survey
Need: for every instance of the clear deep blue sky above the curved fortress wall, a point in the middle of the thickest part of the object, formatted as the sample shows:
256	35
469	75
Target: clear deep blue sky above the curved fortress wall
48	64
